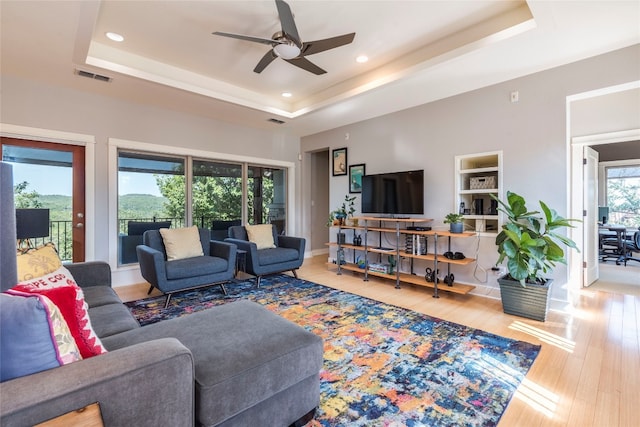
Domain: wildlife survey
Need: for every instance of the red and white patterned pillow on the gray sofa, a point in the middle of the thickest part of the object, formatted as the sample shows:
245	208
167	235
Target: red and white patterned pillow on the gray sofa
63	291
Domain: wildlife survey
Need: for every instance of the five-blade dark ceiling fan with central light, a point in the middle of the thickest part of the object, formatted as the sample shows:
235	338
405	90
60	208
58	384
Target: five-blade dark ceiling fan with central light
287	45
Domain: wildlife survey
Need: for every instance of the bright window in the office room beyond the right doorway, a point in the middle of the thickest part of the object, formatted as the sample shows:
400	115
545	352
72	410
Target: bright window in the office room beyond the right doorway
623	194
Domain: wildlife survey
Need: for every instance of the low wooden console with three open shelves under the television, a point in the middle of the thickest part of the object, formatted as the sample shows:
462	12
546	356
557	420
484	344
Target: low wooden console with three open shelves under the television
368	225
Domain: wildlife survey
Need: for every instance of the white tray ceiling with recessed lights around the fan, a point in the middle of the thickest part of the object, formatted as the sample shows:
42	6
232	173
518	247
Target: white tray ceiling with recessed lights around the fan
420	51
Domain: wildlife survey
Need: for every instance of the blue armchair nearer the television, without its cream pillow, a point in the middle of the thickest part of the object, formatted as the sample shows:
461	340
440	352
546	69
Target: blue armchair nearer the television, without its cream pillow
288	253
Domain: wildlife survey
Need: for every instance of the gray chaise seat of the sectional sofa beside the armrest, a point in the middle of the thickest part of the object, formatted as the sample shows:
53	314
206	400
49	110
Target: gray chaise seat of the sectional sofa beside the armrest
242	352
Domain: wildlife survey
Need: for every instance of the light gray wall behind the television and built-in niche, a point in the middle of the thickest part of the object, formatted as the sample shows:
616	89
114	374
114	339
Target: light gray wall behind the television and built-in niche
532	134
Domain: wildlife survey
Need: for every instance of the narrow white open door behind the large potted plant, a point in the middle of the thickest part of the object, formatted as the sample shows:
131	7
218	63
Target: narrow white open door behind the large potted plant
590	207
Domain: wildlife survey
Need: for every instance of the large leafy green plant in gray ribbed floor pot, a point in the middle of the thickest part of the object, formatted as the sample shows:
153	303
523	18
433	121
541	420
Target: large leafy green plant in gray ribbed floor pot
531	245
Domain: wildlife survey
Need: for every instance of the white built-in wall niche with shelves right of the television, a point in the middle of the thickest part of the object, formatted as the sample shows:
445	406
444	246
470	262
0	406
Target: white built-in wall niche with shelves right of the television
478	177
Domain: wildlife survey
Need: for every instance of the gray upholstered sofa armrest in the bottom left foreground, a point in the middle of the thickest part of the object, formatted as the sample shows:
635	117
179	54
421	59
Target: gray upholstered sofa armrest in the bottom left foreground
147	384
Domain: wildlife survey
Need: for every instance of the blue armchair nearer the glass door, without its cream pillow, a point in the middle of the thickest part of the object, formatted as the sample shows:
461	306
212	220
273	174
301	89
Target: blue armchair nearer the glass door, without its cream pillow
216	266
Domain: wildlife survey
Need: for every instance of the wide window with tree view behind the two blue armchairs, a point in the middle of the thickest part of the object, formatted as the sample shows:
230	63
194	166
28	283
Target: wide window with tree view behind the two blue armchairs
182	190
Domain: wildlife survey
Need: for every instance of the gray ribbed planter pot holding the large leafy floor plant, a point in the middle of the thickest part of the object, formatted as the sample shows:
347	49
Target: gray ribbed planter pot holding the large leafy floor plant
531	301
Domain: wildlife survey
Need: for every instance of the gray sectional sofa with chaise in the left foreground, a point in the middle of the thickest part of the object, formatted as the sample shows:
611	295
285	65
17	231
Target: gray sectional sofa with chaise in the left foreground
233	365
